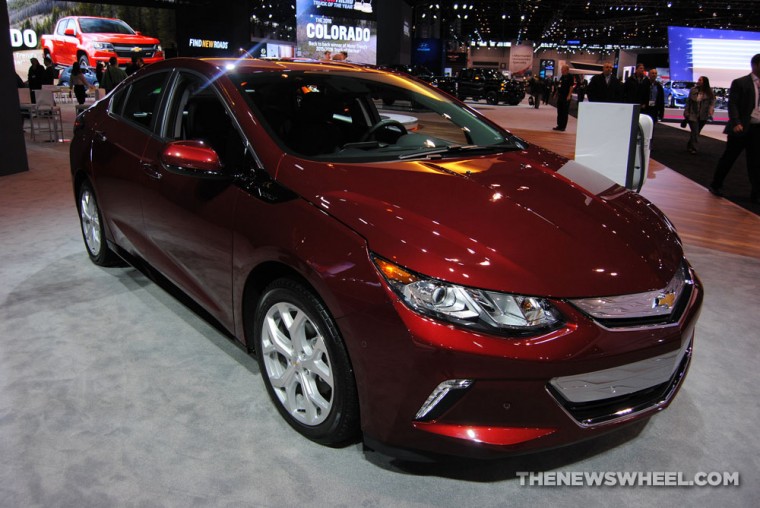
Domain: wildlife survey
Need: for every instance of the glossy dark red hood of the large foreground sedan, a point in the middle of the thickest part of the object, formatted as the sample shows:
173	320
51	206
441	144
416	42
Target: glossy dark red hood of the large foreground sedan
527	222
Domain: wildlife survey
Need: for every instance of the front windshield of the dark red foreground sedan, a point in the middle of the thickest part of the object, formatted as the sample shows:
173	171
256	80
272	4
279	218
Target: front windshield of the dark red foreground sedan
345	115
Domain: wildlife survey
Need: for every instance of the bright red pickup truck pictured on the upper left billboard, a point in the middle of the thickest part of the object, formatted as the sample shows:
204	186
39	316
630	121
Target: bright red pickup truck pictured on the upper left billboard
90	40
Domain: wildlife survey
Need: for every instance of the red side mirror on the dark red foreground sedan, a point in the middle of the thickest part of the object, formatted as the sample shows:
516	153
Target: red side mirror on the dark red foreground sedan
192	158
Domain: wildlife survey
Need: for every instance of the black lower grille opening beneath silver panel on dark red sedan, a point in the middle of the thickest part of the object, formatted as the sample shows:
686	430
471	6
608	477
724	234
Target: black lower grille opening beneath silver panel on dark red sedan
609	410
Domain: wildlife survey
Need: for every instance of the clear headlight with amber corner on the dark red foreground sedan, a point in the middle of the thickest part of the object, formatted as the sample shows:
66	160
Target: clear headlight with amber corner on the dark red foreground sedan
478	309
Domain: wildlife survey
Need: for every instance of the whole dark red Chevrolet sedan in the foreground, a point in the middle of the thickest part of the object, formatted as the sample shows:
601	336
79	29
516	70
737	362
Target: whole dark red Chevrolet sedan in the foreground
402	268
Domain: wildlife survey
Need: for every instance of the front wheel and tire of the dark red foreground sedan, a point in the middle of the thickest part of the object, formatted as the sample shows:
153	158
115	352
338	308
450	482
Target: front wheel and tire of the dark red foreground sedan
304	364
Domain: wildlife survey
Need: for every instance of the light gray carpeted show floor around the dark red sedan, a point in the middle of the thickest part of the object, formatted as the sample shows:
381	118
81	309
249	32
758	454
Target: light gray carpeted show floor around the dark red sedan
112	393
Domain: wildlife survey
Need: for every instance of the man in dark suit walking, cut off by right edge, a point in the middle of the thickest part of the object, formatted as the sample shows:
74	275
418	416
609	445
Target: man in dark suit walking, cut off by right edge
743	130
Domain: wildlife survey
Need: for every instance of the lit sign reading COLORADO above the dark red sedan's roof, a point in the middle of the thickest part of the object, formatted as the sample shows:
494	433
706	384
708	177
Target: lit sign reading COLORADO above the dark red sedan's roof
337	30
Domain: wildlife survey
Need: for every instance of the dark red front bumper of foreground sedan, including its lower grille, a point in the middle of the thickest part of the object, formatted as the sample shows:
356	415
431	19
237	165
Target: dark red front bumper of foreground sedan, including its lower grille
525	394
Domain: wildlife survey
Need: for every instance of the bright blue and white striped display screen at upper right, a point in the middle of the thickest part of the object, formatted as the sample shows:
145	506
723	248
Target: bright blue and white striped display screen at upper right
721	55
